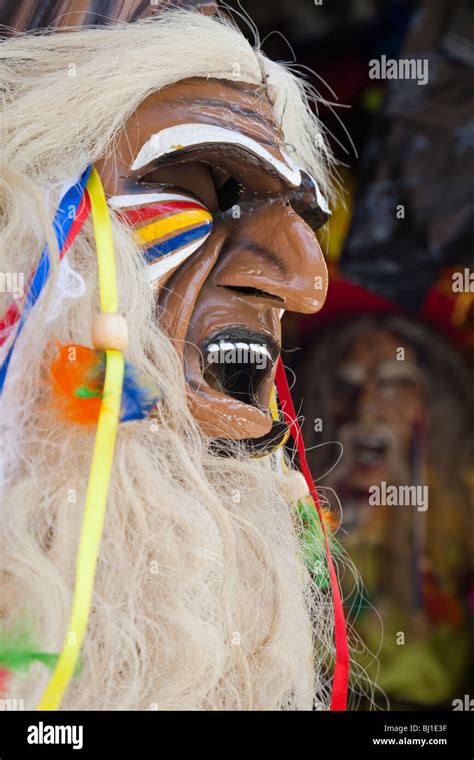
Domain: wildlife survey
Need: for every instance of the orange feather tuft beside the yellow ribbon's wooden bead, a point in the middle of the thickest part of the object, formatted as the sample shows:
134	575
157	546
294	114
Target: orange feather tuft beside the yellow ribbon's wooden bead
77	375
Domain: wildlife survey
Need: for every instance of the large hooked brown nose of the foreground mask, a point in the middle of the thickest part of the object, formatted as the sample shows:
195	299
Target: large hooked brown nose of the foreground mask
270	250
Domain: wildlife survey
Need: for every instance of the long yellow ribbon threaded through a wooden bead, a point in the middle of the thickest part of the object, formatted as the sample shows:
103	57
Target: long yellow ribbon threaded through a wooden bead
101	465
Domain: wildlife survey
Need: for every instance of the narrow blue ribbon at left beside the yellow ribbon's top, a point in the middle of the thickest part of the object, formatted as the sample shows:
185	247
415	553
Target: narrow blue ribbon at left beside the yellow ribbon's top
62	224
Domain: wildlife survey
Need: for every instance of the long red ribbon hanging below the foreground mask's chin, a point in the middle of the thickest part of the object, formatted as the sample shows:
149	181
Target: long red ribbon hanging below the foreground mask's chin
341	668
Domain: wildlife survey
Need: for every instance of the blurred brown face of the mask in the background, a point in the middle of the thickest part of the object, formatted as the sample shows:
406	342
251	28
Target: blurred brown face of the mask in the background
376	405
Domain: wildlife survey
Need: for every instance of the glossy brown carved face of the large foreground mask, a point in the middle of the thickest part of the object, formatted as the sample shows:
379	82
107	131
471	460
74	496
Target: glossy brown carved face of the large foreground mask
226	220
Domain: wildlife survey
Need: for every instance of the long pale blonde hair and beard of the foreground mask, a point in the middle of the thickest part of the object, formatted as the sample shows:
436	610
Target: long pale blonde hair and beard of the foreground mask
202	599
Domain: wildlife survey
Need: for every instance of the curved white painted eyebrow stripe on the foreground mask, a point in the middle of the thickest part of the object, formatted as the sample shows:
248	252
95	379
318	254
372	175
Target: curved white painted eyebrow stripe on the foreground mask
181	136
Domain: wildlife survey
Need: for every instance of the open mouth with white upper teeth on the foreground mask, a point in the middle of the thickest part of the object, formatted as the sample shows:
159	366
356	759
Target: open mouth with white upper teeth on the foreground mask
239	363
